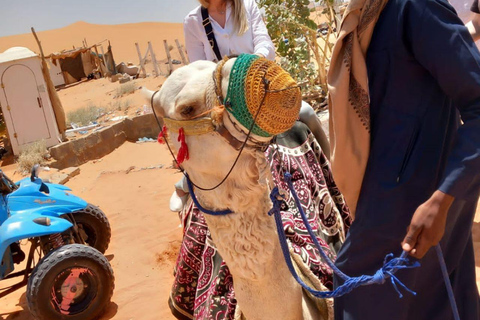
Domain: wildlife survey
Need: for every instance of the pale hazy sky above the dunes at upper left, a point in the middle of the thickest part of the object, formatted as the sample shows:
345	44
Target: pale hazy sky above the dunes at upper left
17	16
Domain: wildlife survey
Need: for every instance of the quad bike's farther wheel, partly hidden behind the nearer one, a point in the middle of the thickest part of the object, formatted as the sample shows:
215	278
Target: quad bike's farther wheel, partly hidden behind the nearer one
94	227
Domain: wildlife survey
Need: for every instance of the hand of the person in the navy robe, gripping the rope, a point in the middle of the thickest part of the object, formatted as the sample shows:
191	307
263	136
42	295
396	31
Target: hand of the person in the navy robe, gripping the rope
428	225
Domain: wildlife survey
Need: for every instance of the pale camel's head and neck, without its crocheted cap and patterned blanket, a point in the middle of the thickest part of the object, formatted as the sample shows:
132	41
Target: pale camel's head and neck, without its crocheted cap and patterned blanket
246	239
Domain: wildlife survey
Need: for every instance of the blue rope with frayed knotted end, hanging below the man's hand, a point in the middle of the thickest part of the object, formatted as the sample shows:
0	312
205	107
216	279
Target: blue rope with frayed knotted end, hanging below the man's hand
390	266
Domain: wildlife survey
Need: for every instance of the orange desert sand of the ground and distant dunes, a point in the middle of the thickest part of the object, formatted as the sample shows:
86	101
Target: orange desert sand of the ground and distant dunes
127	184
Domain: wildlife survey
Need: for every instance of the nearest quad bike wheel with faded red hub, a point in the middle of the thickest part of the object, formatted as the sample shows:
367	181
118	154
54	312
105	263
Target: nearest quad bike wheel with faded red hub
73	282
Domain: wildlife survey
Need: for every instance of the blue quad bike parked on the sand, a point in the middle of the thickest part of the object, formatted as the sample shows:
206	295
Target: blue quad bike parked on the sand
66	273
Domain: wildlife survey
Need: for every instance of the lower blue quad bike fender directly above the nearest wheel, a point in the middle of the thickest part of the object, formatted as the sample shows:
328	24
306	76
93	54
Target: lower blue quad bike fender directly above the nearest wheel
24	226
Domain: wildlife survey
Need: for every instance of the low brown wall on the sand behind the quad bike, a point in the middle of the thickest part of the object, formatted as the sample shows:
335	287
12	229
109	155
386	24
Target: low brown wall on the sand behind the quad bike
98	144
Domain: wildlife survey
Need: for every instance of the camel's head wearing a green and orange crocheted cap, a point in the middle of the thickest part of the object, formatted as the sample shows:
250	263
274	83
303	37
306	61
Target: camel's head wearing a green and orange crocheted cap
234	96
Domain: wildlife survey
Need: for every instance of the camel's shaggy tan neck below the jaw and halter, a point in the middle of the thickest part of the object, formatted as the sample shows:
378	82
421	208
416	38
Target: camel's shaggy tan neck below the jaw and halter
247	240
